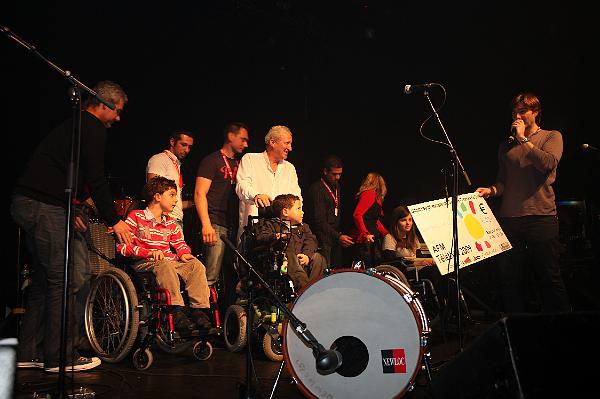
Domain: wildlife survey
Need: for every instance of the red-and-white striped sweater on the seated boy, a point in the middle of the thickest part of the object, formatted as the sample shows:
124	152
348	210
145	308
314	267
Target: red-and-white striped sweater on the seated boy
151	235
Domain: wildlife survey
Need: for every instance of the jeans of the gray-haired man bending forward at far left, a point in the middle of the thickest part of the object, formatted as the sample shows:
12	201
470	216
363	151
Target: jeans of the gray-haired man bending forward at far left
44	226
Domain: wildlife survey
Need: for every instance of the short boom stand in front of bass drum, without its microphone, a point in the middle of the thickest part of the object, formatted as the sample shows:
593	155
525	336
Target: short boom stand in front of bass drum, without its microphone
320	353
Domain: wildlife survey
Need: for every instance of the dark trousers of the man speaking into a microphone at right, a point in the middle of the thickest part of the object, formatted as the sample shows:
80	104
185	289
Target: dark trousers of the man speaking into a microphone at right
535	246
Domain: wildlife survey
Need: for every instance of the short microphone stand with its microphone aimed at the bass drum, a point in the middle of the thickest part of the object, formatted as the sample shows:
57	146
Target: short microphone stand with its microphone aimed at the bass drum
327	360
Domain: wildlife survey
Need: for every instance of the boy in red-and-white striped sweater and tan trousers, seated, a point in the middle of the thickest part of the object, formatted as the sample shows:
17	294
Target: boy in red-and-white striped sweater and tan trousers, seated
156	235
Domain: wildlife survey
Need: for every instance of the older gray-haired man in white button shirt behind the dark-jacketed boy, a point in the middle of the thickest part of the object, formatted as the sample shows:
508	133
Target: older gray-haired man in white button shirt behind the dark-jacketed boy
264	175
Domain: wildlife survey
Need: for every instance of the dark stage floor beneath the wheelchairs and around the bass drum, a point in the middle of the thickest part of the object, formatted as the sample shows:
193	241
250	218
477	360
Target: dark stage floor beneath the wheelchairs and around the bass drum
183	376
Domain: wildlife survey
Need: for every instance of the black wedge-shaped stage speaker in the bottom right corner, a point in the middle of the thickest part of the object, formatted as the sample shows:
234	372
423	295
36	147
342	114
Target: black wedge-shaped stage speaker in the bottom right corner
526	356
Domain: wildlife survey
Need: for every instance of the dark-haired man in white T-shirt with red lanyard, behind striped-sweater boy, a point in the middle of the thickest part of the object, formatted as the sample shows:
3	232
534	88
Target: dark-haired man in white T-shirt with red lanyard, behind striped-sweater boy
168	164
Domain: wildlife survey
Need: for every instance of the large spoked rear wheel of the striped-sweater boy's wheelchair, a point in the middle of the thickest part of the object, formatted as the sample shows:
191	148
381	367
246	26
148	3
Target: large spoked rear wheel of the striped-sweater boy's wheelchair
111	315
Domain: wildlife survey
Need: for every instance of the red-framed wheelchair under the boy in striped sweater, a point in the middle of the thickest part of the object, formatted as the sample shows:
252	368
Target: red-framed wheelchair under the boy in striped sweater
125	310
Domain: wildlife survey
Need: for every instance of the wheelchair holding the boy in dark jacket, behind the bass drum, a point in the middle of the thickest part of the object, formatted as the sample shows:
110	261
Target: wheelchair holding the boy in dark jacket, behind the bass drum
268	260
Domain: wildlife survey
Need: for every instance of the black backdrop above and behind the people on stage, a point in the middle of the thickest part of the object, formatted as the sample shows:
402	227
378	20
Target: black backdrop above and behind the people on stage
333	71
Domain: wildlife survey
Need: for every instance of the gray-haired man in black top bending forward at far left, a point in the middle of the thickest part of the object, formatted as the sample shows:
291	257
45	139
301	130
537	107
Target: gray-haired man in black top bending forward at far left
39	207
